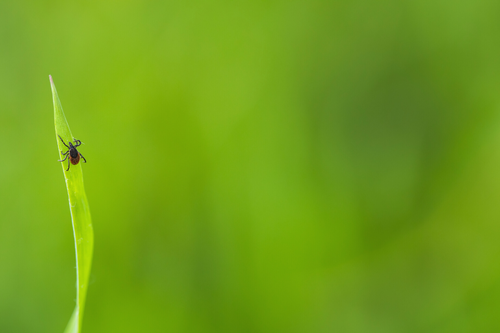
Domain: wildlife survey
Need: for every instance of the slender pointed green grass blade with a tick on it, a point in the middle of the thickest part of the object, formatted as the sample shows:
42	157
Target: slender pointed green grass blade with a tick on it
80	215
